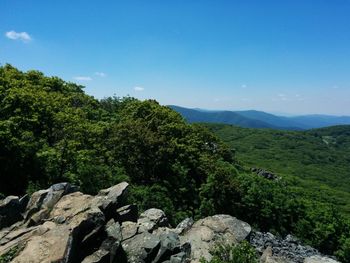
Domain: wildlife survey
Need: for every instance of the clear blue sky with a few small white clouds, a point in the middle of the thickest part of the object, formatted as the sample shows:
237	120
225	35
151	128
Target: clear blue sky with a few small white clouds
287	57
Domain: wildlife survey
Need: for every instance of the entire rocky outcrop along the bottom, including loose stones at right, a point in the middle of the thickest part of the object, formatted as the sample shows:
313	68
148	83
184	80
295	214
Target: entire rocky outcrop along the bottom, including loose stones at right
60	224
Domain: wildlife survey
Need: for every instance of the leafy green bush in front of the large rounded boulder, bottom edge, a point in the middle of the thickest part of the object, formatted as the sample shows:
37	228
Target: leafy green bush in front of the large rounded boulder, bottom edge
236	253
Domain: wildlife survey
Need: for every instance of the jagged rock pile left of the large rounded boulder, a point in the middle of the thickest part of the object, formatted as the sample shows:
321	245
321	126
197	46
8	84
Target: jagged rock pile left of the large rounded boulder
61	224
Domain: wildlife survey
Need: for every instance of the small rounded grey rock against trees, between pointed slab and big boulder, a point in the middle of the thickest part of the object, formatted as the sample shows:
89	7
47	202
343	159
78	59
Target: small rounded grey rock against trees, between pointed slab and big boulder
151	219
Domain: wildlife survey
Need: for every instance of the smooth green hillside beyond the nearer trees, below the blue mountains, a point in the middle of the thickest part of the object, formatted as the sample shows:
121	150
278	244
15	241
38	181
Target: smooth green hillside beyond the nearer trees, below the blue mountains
320	157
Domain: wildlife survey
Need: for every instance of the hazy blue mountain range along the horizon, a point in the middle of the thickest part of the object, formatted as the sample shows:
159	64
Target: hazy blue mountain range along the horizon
260	119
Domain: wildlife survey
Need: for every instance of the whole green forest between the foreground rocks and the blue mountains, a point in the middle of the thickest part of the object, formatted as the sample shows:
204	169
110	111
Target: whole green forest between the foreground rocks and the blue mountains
51	131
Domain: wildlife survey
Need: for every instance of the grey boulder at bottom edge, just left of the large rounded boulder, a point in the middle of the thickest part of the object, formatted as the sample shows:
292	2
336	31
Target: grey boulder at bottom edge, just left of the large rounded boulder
141	248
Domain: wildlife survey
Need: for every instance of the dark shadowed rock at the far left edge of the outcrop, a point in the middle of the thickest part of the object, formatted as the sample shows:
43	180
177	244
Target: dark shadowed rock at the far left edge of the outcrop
10	211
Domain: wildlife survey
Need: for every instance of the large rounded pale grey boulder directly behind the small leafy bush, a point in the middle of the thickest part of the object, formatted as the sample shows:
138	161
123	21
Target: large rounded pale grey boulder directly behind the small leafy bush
206	233
